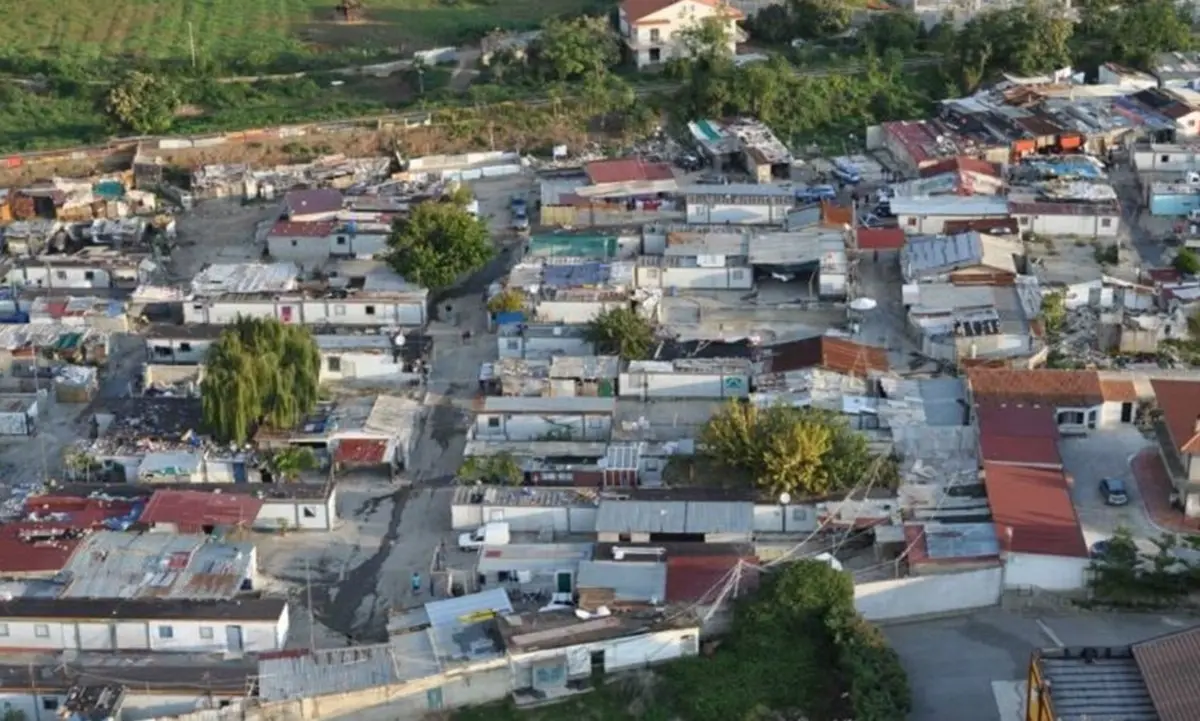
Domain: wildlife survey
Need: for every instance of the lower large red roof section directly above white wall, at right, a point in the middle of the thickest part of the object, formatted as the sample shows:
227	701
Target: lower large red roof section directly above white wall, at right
1033	510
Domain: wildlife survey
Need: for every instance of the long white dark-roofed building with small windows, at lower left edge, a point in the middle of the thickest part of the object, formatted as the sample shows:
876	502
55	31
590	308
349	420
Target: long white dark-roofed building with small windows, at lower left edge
244	626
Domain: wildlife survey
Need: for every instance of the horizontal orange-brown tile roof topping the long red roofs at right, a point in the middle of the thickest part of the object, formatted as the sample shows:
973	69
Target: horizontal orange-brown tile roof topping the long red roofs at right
1053	388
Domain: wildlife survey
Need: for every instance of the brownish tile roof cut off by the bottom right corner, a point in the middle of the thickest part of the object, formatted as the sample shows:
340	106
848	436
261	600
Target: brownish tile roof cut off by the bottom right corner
1171	669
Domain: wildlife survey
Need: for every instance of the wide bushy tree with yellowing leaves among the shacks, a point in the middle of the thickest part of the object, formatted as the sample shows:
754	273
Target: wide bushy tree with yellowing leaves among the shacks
790	450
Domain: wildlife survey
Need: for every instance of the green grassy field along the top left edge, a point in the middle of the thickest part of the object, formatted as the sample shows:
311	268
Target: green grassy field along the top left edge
257	34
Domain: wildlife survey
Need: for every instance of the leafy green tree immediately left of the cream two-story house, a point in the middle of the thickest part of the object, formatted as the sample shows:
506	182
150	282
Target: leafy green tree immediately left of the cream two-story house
584	47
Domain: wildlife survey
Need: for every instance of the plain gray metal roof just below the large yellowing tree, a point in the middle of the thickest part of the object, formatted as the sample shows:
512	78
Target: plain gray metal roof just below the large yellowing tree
675	516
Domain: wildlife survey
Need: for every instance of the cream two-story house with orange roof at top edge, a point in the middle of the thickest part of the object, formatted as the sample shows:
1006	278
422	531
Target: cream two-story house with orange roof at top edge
651	28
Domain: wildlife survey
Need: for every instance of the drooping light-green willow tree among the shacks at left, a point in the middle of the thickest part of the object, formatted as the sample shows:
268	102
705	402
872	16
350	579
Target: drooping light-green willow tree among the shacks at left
260	371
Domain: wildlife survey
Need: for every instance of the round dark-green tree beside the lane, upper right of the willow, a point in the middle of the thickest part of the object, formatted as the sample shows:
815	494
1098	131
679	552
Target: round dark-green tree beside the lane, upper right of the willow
439	243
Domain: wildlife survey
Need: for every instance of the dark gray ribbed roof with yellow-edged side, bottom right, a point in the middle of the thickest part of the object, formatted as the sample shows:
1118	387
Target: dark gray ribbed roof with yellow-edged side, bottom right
1099	689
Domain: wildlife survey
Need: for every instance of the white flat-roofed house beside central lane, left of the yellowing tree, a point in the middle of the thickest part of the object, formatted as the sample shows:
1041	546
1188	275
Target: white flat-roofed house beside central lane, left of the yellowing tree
545	419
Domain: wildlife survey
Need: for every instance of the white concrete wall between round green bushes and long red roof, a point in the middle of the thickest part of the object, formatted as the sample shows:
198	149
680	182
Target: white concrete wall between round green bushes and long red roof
928	596
